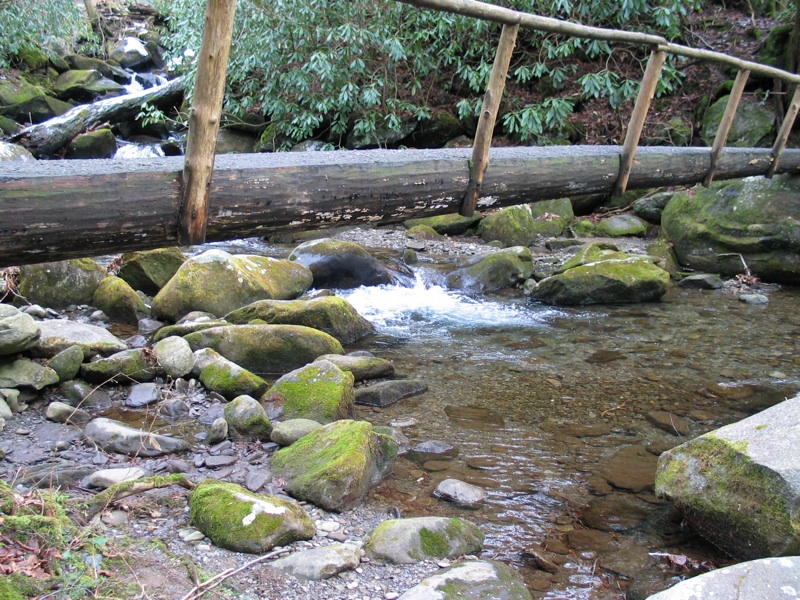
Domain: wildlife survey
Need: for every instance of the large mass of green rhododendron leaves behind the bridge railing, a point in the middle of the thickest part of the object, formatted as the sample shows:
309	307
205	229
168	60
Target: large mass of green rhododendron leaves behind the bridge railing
321	68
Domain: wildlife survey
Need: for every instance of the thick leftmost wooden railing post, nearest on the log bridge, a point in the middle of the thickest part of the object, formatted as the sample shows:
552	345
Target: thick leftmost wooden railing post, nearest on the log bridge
204	118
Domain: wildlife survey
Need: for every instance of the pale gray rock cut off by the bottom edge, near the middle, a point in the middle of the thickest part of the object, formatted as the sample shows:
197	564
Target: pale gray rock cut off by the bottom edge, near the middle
471	580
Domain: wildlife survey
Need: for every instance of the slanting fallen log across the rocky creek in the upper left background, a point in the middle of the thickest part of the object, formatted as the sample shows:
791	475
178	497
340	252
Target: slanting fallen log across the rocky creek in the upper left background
45	139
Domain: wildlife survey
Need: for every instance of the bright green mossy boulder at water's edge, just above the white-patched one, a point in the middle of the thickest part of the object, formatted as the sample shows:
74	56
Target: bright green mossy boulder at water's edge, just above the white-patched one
334	466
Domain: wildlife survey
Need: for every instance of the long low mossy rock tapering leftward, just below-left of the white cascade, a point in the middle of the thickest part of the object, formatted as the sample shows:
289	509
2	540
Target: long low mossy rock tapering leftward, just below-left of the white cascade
331	314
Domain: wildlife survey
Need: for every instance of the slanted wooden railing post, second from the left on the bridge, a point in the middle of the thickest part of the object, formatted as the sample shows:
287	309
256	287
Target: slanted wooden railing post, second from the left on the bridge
491	104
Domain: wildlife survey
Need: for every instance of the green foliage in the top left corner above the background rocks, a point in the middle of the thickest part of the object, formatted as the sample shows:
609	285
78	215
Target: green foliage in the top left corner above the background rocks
28	25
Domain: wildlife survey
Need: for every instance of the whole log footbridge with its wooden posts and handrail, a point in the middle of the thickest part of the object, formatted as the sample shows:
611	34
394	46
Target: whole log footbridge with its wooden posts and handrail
52	210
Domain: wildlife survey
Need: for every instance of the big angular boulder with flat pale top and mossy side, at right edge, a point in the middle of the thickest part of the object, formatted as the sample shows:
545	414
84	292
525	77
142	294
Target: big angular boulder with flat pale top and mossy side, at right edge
739	485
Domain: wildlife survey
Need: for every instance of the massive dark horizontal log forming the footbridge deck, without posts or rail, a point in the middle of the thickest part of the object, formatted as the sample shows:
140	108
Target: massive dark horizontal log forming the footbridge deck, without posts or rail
52	210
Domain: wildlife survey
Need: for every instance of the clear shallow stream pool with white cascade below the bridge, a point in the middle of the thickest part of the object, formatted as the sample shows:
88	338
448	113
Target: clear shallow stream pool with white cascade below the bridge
545	404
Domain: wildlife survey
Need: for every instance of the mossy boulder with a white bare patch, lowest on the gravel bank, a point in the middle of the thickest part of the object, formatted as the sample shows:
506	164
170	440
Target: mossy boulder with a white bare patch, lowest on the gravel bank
239	520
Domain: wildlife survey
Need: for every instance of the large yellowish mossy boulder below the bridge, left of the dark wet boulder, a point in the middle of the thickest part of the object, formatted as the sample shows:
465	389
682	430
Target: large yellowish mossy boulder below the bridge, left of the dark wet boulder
218	283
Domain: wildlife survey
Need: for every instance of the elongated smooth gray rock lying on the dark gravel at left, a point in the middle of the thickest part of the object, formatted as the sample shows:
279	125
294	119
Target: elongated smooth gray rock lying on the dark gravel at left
112	436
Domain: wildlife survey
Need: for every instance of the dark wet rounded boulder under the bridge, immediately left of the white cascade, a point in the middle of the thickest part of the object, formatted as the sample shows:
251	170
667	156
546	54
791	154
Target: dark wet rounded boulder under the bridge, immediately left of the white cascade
340	264
